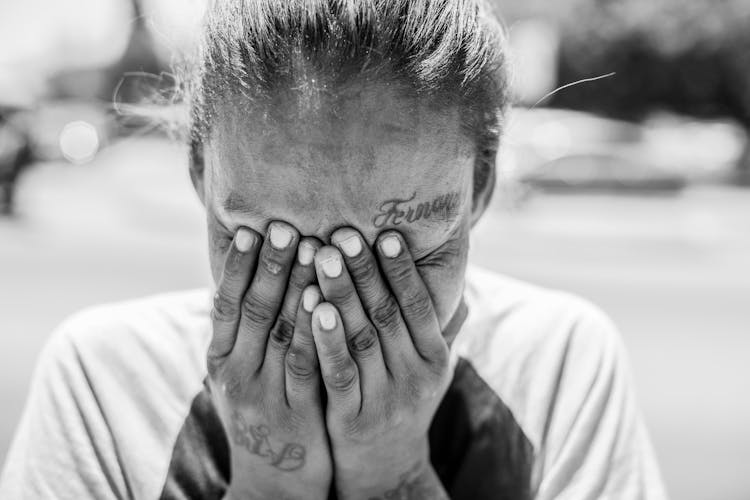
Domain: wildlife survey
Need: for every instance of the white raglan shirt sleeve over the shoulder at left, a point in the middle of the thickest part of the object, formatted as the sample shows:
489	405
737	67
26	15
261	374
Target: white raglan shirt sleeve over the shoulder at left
111	391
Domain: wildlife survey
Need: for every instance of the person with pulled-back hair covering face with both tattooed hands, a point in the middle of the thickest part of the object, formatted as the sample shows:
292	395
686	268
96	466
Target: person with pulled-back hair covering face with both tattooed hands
342	150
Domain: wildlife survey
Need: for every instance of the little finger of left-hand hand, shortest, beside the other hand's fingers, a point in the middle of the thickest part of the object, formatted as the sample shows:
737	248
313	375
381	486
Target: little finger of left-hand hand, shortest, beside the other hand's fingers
302	382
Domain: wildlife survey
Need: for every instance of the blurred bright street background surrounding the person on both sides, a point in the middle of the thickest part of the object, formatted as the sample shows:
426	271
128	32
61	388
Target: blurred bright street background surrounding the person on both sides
631	189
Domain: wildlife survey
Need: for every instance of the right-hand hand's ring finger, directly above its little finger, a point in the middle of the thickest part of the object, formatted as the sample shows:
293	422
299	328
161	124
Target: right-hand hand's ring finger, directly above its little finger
361	336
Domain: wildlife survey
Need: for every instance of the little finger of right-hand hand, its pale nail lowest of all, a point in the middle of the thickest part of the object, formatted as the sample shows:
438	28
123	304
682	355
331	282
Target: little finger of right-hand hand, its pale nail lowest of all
340	372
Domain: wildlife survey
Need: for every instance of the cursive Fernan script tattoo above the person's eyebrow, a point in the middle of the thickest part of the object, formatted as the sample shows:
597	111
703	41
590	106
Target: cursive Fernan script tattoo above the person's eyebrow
396	211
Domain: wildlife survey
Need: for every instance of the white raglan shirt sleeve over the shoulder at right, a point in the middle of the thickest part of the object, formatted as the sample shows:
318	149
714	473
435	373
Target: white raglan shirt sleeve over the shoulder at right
558	363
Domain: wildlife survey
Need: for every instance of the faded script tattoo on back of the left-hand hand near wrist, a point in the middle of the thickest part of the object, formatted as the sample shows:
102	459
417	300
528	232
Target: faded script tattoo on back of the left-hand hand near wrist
255	439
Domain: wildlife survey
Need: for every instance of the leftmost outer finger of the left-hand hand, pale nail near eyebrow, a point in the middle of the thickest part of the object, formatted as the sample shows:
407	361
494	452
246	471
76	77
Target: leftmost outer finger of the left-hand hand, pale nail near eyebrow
239	267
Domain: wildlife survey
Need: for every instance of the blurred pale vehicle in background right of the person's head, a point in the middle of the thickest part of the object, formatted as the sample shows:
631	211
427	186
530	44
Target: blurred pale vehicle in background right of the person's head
570	150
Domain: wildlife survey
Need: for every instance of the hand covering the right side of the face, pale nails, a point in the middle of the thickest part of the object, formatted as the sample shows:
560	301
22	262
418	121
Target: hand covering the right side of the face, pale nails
384	364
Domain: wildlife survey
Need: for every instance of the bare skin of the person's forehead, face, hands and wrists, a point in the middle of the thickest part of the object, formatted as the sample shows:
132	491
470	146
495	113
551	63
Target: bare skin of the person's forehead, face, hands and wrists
368	165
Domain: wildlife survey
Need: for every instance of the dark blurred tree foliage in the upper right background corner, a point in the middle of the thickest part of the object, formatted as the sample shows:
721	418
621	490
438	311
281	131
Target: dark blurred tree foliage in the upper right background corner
691	57
